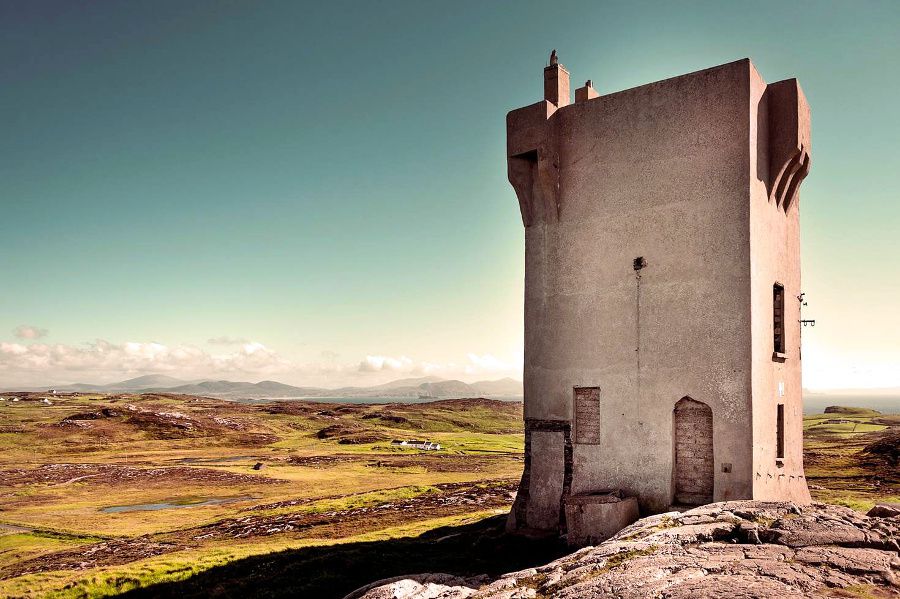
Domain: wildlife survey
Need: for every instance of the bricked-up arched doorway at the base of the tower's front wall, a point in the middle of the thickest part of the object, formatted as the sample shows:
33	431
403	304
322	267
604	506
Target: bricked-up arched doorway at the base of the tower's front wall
694	467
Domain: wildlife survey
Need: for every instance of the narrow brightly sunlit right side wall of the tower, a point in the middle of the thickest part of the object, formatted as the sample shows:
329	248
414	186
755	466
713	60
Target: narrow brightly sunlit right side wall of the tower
779	130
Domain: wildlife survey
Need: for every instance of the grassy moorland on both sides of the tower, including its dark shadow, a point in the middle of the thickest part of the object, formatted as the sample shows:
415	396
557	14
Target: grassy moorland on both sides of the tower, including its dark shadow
101	495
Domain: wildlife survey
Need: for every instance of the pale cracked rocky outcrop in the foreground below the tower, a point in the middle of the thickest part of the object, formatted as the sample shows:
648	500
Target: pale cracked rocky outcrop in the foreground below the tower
732	549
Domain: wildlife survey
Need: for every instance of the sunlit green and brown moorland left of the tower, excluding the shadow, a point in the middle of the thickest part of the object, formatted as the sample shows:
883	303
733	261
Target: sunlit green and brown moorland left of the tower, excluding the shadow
62	465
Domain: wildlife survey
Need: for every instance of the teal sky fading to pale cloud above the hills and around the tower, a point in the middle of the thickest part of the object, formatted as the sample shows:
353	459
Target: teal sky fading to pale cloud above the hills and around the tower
316	192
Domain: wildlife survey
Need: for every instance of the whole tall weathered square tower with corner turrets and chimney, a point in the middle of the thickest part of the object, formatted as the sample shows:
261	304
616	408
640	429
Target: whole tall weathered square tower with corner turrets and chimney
662	286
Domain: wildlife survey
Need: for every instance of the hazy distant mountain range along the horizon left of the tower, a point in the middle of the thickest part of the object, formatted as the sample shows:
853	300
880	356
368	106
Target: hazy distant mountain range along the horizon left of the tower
412	388
